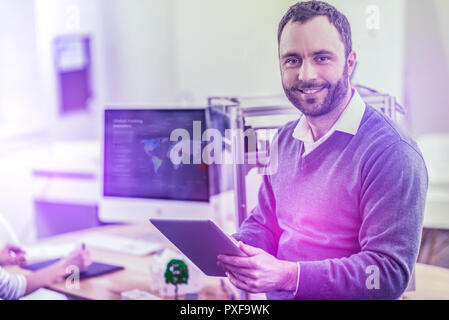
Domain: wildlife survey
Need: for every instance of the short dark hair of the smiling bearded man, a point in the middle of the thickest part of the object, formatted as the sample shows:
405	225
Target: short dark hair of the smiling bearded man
304	11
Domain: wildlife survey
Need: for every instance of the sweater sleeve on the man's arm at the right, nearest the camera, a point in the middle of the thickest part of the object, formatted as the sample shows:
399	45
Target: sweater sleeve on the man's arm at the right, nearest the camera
392	199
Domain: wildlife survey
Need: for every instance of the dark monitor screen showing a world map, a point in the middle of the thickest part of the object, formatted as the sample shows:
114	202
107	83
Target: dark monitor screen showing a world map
137	148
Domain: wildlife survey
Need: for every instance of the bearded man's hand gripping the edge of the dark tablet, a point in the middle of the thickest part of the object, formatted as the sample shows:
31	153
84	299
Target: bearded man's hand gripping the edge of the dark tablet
259	271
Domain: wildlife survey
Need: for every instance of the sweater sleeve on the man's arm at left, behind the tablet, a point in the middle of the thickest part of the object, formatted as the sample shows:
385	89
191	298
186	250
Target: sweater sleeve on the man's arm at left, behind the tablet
261	228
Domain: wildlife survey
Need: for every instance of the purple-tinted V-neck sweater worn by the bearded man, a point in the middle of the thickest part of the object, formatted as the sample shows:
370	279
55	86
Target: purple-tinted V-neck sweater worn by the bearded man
350	212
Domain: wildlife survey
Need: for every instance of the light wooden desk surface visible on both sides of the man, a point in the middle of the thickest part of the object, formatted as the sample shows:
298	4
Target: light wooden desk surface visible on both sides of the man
431	282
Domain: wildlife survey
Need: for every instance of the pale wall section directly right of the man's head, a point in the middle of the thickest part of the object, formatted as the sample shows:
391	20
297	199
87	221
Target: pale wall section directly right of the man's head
380	52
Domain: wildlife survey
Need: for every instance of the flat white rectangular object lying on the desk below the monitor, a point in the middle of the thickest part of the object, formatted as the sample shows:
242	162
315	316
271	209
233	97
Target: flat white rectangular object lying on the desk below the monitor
122	244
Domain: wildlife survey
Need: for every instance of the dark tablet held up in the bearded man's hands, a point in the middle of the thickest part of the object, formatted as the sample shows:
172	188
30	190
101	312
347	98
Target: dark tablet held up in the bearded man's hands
199	240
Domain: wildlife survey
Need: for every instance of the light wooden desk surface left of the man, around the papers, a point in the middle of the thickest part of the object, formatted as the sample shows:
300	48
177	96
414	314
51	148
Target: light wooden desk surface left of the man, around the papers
136	274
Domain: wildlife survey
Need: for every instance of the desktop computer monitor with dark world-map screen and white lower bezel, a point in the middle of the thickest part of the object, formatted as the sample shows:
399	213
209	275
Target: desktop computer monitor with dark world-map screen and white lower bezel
140	180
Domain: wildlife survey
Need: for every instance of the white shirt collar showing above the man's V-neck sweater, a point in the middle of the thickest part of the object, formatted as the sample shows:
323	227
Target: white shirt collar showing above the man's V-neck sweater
349	122
